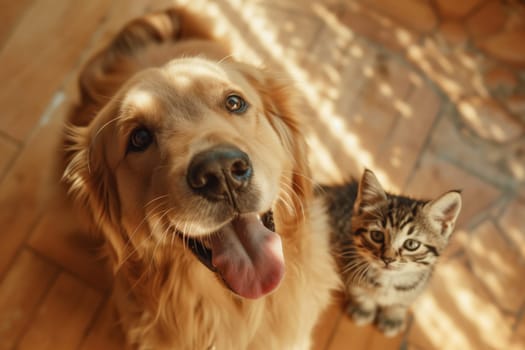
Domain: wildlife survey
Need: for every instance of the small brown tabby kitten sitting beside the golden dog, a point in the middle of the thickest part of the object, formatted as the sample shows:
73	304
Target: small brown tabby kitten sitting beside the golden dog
386	246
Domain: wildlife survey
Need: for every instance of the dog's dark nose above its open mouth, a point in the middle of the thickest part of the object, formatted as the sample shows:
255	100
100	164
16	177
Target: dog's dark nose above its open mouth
220	172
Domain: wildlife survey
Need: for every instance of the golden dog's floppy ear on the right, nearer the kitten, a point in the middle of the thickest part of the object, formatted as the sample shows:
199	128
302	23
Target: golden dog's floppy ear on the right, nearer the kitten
281	104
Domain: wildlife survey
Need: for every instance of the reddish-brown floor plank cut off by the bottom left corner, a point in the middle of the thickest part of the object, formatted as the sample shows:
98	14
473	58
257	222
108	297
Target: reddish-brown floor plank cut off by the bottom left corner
20	292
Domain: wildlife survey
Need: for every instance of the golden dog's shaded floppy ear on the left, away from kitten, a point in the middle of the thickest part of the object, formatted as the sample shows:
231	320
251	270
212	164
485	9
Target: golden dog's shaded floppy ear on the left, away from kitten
90	182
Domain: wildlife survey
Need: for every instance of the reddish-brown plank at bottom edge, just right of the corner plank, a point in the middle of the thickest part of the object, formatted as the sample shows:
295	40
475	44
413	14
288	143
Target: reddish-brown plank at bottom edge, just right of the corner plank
63	317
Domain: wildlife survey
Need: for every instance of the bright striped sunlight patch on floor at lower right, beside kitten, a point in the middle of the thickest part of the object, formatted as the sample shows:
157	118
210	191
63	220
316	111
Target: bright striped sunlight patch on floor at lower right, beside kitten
452	305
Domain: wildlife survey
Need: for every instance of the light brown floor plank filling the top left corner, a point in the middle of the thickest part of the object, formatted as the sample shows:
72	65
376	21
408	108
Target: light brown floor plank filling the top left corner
42	50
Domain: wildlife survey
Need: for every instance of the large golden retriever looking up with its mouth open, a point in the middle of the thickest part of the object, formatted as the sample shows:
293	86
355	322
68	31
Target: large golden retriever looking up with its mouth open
193	169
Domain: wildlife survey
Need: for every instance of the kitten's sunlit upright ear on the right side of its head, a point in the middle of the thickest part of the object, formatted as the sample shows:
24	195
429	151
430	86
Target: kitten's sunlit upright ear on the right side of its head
443	212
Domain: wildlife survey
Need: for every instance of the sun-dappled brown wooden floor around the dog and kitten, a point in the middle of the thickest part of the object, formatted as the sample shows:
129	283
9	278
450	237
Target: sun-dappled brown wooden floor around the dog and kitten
382	91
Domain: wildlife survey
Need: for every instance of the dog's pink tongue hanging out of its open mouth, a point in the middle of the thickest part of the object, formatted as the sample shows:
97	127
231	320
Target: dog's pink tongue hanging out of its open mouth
248	256
